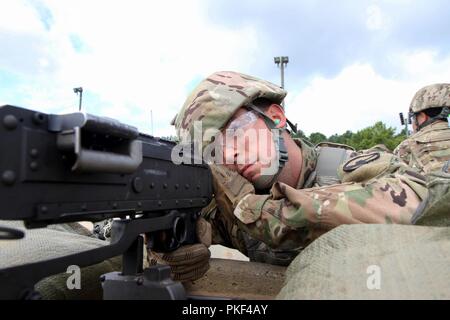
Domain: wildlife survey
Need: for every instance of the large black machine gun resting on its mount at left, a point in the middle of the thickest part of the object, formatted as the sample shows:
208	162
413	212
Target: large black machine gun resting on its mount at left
79	167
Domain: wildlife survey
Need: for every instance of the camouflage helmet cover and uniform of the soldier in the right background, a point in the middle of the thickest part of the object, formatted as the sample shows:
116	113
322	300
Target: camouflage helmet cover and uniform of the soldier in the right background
429	148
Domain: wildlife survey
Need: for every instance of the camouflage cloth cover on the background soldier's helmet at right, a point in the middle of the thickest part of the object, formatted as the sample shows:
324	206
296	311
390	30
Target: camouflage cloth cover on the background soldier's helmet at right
432	96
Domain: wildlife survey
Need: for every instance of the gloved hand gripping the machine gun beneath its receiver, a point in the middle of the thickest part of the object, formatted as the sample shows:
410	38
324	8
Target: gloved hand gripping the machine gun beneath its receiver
189	262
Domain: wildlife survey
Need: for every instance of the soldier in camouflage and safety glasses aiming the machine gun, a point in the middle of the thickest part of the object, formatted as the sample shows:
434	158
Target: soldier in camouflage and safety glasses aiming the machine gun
272	217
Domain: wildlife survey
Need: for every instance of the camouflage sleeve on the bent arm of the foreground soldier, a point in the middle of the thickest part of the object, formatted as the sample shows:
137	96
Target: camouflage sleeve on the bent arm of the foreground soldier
289	218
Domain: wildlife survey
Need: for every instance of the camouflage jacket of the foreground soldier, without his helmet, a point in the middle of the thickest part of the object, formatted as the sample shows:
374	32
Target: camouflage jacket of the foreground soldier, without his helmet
288	219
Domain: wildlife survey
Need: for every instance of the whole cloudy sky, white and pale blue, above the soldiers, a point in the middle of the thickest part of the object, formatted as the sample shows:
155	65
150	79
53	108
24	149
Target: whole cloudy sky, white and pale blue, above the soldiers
352	63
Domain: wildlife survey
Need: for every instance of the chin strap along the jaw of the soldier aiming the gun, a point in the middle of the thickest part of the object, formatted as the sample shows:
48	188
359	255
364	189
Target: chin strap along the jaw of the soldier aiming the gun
265	181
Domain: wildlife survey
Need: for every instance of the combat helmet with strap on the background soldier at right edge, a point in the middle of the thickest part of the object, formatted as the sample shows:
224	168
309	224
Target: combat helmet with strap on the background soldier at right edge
432	96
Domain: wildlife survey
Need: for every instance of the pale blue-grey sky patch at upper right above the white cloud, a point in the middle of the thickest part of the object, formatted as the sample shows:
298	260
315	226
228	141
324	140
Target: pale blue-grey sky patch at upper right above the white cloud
325	36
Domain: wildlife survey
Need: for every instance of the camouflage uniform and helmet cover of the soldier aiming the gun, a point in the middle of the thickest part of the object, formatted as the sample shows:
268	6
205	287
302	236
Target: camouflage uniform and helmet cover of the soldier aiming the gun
289	218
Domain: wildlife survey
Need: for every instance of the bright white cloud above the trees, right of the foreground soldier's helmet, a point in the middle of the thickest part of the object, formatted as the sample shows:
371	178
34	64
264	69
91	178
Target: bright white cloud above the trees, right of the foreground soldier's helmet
358	97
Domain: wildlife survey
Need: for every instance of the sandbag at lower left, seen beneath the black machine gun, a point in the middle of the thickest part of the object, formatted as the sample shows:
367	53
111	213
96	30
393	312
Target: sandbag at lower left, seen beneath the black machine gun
56	241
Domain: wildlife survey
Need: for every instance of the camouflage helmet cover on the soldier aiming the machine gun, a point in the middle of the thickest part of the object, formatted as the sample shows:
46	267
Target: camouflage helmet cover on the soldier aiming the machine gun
215	100
